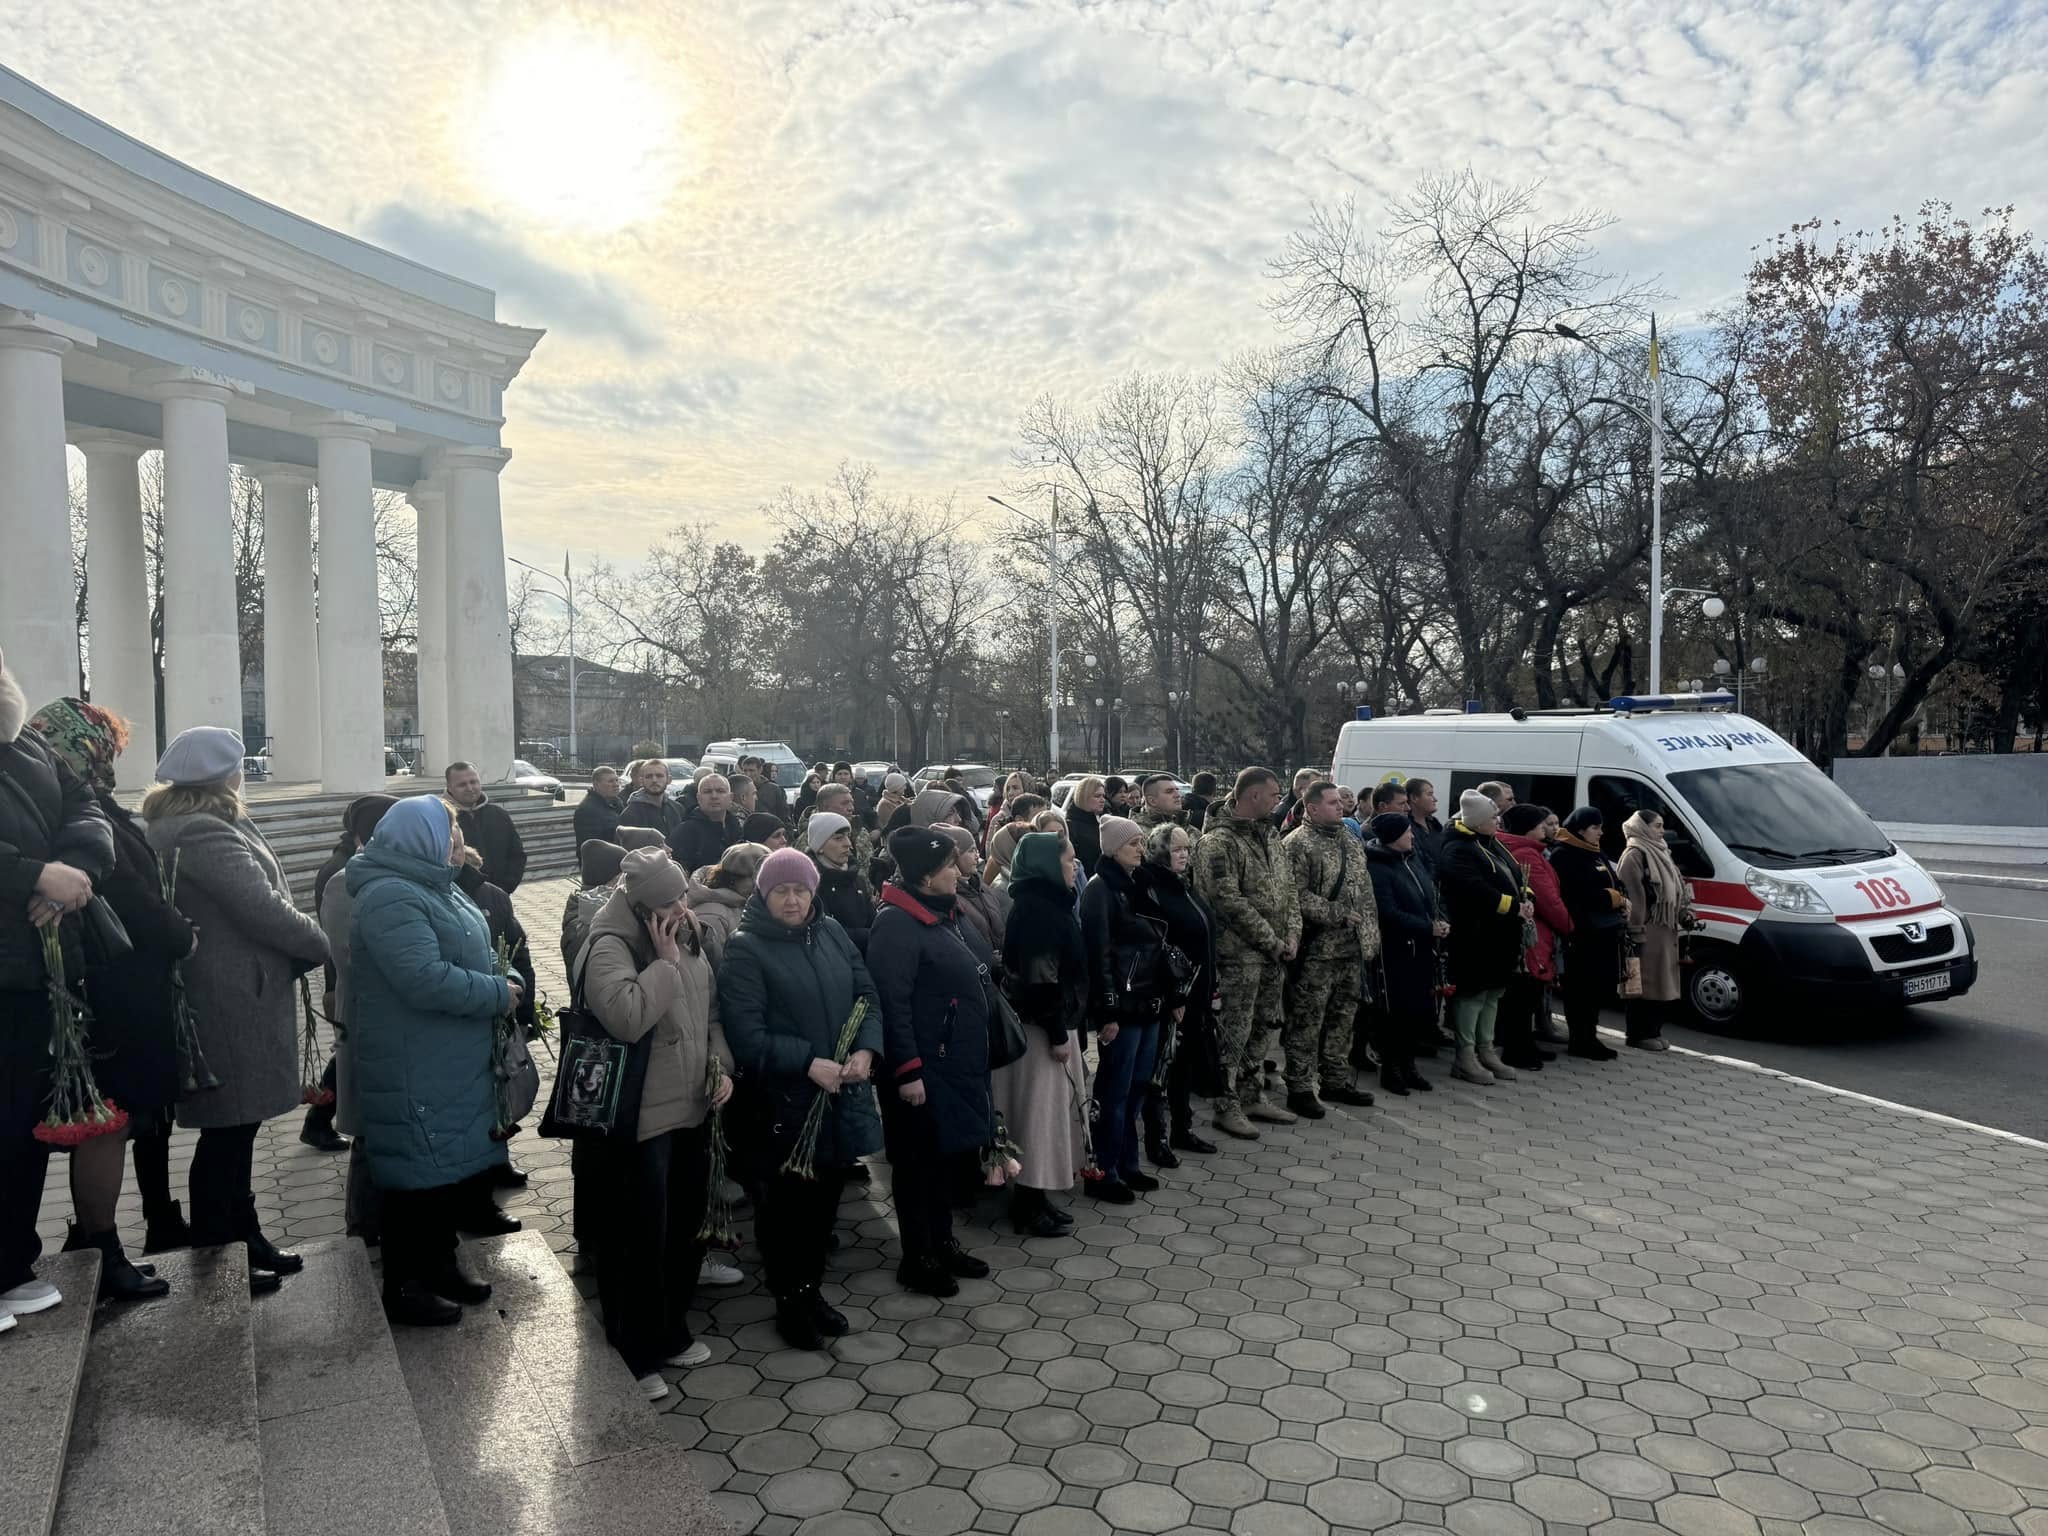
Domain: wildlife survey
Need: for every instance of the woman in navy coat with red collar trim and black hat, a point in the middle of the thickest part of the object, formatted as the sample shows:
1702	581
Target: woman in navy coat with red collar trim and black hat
933	974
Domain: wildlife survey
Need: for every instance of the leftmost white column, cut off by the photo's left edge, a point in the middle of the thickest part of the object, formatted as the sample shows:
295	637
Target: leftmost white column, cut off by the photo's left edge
38	595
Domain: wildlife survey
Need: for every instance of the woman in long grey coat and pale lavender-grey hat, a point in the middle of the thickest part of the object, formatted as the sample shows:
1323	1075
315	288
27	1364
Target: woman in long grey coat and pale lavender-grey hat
241	982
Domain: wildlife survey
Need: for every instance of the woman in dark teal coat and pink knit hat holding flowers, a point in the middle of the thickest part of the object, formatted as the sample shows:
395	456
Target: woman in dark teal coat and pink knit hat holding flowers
806	1025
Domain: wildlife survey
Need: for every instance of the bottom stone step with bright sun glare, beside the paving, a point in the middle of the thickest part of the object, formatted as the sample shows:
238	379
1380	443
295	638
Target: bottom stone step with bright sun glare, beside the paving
531	1420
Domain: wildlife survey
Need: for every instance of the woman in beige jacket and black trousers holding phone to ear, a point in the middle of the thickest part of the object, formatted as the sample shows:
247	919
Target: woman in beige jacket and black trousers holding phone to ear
644	972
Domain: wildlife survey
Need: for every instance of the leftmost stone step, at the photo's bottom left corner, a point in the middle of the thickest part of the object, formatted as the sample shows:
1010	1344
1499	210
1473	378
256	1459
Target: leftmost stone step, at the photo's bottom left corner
46	1361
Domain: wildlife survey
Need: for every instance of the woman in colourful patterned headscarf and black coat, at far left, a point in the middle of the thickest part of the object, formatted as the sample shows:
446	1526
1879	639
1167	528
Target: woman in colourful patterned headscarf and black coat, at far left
134	1031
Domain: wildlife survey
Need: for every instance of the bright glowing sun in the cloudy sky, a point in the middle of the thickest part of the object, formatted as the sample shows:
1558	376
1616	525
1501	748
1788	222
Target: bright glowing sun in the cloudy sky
577	130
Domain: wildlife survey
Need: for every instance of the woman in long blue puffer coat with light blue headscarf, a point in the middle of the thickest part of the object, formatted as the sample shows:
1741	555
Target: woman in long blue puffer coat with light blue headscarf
425	994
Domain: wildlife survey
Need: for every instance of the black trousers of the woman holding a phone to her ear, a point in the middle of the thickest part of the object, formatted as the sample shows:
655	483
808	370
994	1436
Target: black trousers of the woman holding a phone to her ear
652	1205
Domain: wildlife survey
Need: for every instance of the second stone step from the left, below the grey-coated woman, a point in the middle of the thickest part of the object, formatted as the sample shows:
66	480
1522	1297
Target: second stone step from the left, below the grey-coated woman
165	1437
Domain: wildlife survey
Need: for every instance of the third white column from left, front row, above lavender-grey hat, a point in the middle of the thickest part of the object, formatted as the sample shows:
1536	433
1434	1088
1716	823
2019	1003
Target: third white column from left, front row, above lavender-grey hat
202	624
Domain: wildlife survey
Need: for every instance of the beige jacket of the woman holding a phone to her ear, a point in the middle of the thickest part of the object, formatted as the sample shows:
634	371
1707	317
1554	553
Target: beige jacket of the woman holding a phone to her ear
634	992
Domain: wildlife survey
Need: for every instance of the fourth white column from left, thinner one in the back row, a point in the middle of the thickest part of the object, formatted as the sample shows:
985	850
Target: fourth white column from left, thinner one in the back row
290	632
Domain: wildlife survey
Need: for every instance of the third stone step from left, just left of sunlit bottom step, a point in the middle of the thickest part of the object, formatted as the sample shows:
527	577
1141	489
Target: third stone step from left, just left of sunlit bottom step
341	1445
